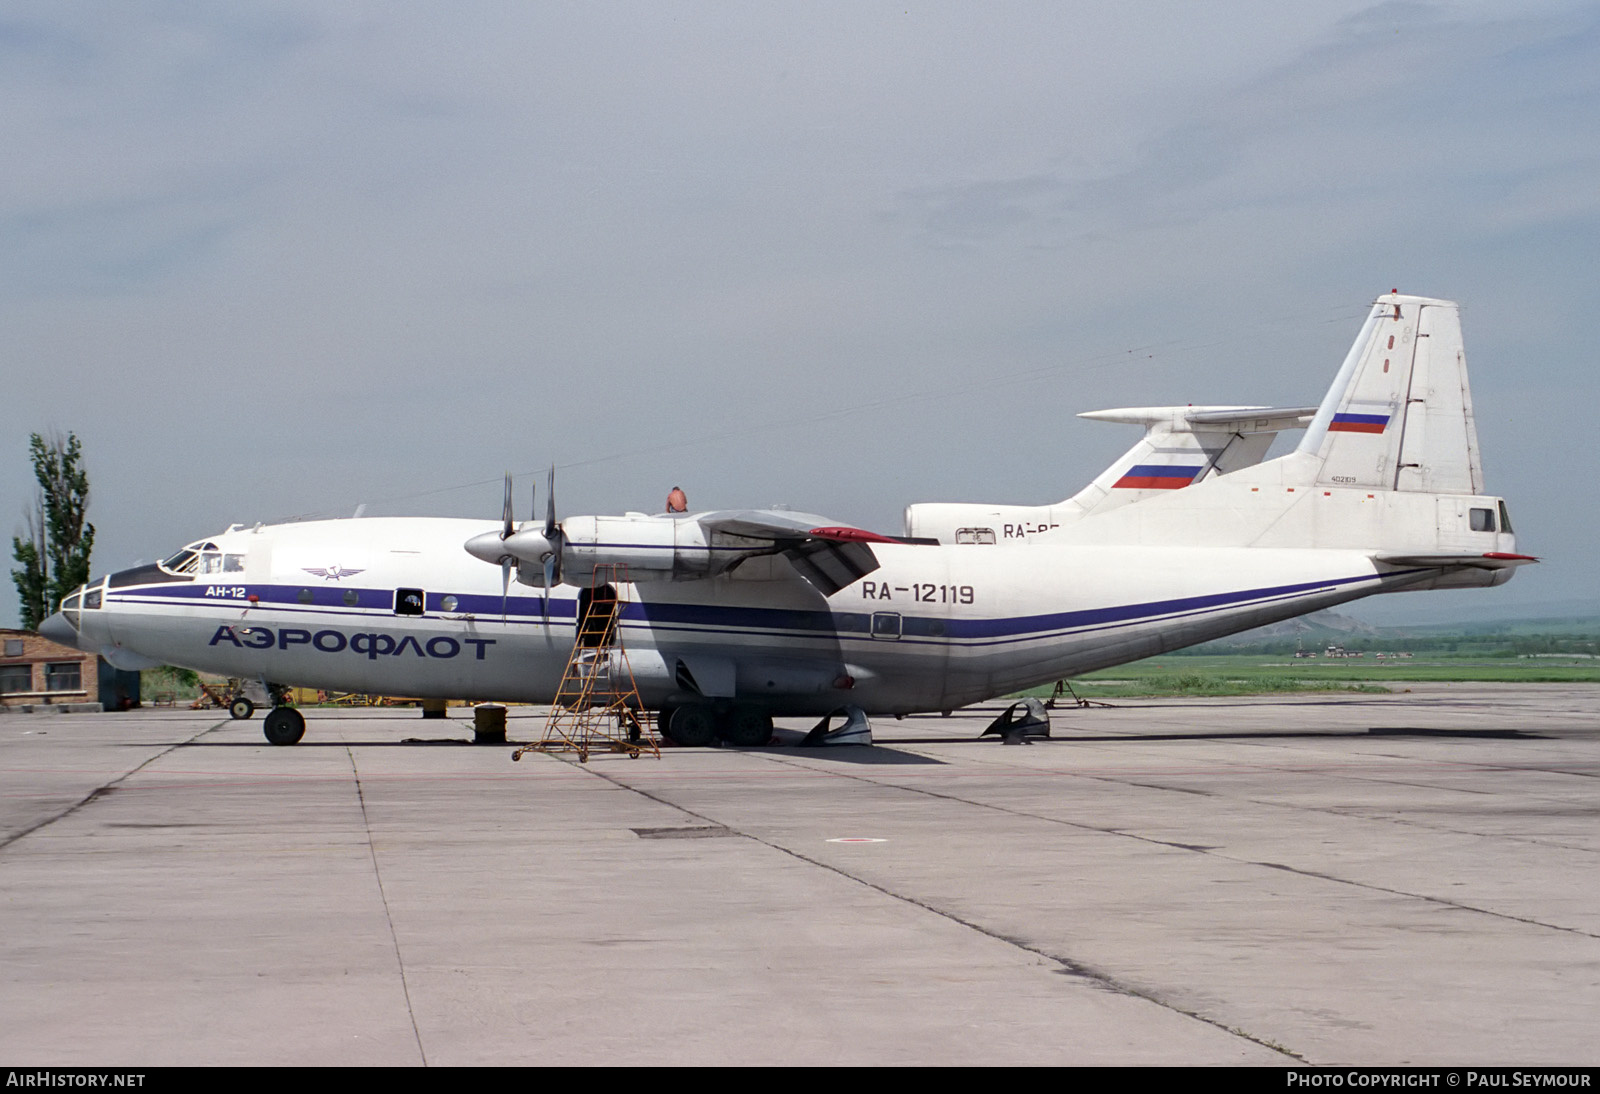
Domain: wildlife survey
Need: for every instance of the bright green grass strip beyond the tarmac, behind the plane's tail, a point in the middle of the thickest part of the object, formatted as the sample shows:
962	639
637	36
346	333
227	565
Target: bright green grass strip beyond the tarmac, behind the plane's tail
1266	674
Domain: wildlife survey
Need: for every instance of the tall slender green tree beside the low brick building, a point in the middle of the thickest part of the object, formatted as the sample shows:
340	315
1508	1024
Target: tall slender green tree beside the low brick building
55	554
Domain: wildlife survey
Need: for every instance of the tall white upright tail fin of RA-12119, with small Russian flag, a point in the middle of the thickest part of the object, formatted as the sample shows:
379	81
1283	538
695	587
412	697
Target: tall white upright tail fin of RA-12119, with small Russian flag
1399	415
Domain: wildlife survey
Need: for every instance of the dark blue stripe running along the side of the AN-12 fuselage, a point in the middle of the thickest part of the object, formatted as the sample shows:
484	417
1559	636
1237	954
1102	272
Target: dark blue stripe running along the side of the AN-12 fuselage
751	621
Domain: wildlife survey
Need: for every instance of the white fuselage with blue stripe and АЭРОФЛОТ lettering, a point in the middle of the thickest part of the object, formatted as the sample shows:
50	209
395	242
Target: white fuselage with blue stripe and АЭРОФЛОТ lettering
932	629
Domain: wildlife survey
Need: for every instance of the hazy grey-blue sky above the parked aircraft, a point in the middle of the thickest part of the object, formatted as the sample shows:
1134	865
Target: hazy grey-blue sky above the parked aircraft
278	260
